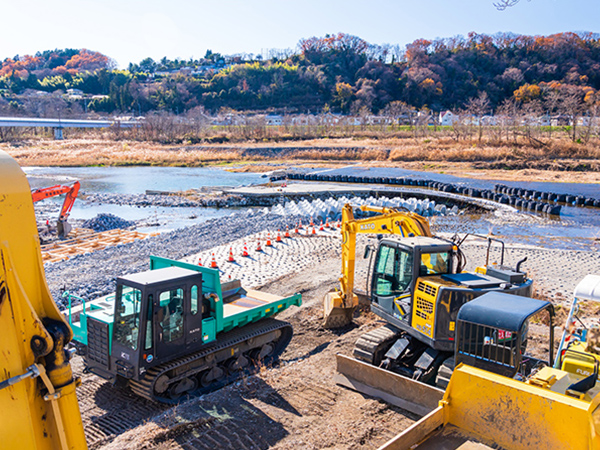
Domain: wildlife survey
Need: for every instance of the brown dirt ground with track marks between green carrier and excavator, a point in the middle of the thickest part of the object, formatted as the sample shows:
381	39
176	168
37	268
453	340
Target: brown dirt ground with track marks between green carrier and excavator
293	405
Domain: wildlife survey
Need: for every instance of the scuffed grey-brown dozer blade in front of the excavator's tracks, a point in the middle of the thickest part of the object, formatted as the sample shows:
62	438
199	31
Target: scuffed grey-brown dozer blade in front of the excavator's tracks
414	396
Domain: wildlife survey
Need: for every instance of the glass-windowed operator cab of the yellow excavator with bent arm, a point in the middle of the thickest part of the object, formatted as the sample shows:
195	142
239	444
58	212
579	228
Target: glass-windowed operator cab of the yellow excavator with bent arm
397	266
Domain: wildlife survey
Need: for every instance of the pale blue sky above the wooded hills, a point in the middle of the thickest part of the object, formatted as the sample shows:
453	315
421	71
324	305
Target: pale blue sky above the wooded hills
130	30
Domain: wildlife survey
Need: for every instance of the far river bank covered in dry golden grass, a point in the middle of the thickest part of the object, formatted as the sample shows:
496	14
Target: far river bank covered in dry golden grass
566	163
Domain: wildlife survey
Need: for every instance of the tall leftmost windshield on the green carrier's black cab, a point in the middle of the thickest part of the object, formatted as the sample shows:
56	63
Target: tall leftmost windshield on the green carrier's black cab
127	316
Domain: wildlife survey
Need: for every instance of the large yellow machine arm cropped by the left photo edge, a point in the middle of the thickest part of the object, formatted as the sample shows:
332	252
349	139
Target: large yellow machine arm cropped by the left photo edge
38	405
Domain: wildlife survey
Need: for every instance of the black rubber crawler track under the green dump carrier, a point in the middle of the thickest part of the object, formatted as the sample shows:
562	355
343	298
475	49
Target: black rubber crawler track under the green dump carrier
145	387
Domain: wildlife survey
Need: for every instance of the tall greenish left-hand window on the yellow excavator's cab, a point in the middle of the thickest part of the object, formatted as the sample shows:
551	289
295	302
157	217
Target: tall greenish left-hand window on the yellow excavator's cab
393	271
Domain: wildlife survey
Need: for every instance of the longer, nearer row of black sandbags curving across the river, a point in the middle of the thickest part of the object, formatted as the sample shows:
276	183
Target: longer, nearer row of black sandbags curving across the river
500	197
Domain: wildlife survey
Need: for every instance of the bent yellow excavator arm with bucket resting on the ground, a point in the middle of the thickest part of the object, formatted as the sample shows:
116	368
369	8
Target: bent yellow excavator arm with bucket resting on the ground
339	306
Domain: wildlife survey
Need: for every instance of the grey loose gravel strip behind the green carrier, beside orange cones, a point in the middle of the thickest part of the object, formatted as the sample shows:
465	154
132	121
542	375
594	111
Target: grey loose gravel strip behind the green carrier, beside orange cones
92	275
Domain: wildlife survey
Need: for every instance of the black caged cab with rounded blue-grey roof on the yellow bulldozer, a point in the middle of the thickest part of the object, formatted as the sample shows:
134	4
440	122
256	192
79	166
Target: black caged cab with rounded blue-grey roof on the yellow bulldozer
491	333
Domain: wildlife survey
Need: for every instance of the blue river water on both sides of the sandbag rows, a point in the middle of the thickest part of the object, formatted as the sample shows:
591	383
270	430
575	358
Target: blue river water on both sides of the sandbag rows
576	228
